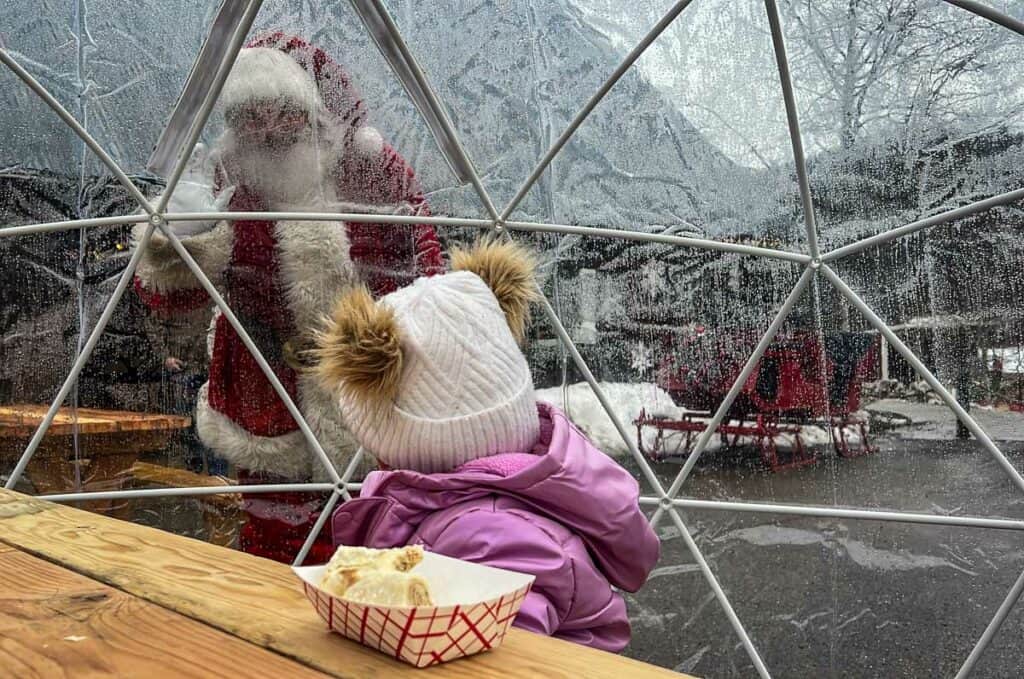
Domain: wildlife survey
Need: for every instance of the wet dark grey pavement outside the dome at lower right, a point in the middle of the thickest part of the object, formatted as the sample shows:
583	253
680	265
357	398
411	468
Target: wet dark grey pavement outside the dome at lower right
841	599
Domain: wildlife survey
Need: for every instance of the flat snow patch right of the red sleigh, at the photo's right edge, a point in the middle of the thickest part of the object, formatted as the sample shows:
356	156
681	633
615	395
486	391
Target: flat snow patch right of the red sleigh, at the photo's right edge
930	422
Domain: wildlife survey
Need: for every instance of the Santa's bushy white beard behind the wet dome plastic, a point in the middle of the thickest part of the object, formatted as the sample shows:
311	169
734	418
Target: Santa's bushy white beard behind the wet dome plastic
294	178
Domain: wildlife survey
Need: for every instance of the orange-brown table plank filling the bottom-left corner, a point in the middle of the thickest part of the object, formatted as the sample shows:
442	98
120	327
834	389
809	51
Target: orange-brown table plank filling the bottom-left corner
58	624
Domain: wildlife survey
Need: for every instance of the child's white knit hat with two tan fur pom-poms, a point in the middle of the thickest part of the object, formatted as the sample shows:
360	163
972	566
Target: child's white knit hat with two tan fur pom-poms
433	375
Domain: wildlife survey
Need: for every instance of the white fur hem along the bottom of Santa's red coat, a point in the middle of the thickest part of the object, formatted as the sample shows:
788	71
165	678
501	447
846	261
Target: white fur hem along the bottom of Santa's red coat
285	456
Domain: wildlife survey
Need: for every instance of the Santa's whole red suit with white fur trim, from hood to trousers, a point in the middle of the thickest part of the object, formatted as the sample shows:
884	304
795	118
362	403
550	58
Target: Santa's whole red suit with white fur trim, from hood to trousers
273	277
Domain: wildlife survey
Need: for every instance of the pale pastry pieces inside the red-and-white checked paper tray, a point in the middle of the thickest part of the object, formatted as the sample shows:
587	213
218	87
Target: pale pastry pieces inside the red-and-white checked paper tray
378	577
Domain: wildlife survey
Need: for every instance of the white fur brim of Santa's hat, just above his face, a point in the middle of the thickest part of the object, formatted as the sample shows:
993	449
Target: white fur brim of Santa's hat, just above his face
263	74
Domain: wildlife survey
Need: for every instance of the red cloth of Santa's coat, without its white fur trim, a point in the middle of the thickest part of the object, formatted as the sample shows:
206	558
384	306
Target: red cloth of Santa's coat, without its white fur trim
387	257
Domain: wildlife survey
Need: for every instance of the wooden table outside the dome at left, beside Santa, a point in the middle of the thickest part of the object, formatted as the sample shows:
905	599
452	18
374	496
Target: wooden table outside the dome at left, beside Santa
110	442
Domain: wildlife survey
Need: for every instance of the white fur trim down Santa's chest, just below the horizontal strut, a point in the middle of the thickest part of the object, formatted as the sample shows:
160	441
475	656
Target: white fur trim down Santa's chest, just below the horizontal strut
315	268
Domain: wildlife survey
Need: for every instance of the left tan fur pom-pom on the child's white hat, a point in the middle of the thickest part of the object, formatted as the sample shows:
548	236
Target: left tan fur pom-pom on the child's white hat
360	351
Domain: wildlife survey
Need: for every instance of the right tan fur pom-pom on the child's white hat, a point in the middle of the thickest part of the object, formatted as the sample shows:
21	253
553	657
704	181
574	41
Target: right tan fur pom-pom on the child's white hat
509	271
